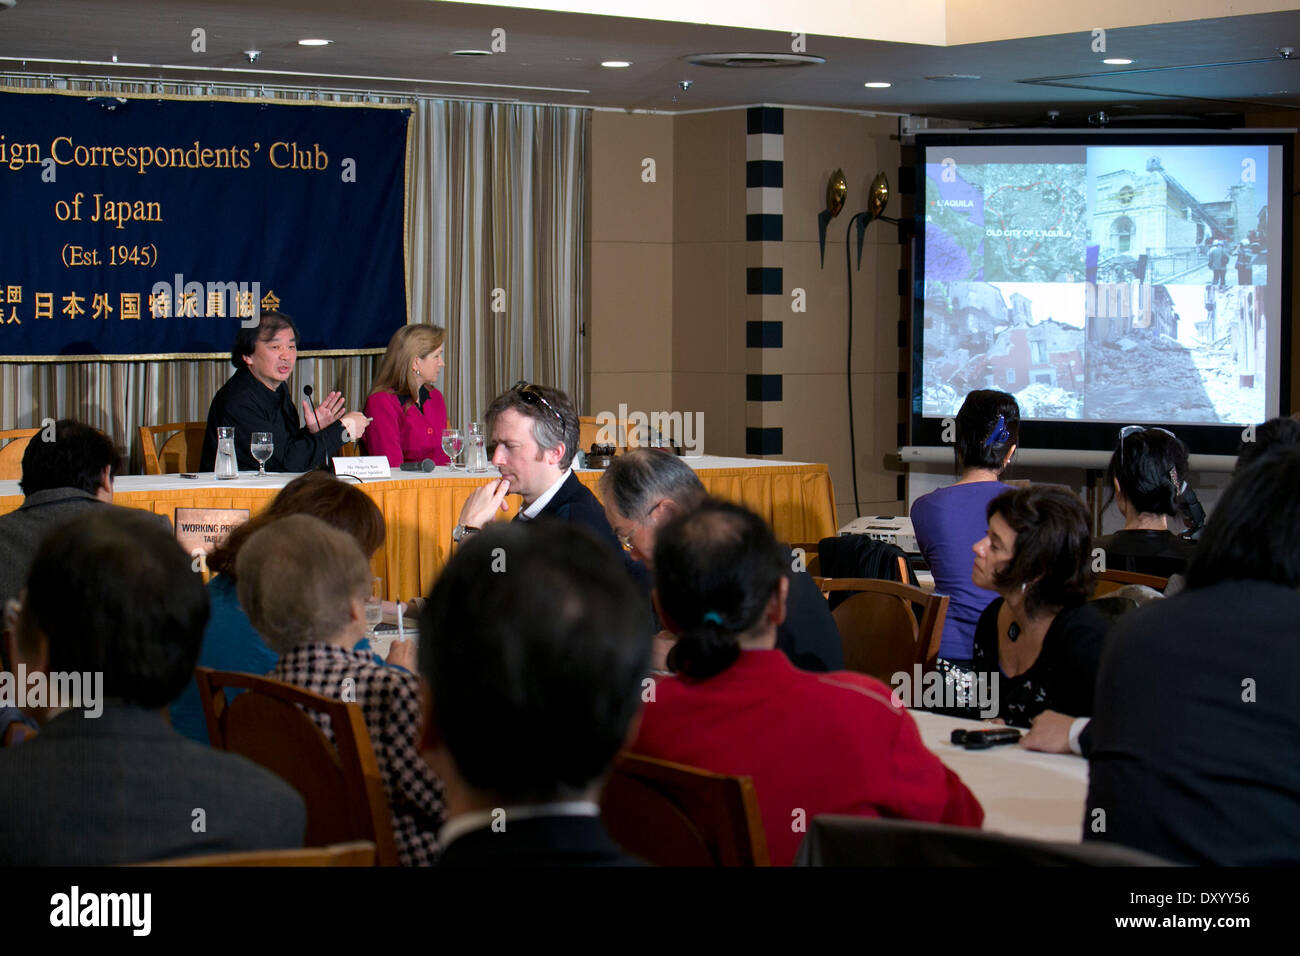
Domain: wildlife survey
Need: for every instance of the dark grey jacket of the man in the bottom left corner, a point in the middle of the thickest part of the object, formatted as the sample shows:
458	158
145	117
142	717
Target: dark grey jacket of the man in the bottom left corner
124	788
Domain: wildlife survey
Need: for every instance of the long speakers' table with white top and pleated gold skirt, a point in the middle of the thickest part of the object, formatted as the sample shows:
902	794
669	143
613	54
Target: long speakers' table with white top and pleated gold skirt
421	509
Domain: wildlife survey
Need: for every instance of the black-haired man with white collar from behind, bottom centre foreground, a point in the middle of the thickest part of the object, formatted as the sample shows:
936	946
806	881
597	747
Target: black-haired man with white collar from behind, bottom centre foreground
535	682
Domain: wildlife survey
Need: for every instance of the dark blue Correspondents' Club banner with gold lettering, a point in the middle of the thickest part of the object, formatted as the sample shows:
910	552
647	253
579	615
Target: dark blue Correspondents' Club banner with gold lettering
149	228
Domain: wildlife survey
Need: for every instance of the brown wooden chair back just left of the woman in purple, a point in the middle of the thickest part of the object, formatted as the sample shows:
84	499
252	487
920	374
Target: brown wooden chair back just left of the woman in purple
879	626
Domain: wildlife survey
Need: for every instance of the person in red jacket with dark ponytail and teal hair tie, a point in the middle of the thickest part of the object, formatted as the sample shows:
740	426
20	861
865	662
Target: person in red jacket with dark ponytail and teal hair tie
824	743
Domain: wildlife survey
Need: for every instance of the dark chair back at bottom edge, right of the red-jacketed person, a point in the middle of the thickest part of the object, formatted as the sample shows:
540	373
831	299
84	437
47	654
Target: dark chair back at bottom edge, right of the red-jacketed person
839	841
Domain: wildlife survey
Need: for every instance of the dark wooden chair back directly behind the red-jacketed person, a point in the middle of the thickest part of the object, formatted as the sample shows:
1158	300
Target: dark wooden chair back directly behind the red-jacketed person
670	815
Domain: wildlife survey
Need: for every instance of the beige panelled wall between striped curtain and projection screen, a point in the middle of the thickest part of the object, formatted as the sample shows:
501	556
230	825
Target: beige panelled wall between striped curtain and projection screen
669	301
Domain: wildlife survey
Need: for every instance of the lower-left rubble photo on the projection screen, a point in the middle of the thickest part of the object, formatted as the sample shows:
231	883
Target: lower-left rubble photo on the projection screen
1026	339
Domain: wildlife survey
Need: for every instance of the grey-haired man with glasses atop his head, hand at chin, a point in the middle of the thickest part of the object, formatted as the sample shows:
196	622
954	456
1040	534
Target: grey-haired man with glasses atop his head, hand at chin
534	435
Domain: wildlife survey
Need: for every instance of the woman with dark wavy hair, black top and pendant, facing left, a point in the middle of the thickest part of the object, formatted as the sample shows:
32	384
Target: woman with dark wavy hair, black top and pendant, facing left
1039	638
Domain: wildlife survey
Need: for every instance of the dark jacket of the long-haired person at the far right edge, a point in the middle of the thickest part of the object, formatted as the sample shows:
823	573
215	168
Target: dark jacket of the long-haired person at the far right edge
1194	736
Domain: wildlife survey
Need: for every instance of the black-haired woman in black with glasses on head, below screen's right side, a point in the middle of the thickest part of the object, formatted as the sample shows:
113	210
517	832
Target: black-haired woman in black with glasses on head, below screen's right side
1147	474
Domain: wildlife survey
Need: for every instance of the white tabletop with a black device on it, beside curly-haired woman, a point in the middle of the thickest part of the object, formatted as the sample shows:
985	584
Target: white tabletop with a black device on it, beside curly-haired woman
1024	793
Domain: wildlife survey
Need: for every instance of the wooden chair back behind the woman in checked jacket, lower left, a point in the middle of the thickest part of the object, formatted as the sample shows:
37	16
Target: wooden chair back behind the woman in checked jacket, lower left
341	785
